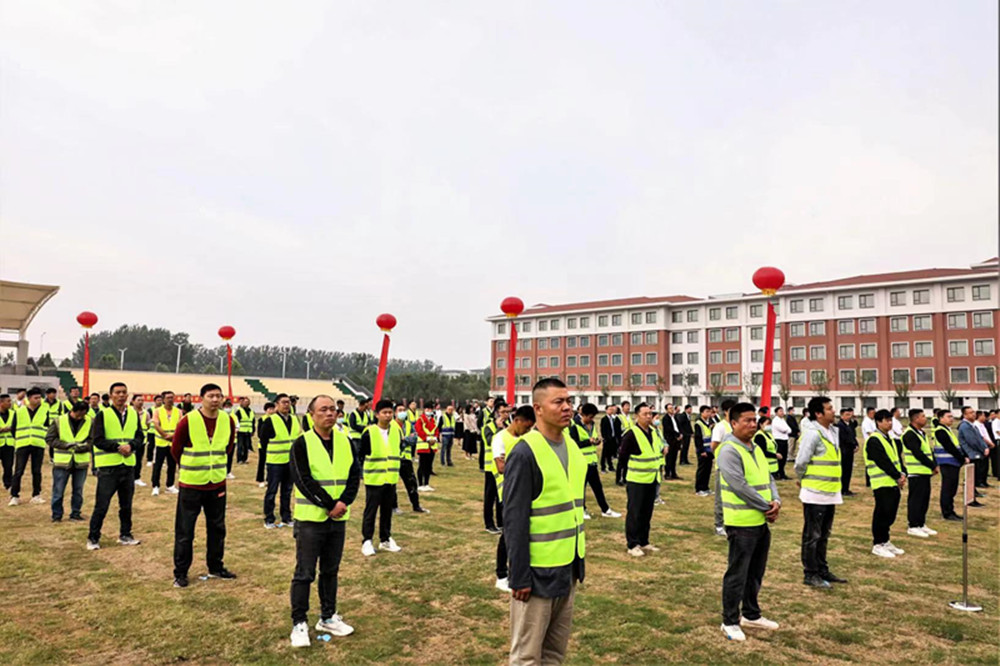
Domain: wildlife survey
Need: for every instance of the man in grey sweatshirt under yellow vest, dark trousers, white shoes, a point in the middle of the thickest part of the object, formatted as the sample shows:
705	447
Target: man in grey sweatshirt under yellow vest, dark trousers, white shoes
750	501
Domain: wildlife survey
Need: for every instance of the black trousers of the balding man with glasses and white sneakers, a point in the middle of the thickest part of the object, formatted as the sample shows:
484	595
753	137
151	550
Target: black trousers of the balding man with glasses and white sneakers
323	542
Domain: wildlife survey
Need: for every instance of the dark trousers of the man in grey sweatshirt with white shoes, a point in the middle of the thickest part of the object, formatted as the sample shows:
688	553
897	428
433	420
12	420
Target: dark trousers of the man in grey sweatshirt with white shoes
748	549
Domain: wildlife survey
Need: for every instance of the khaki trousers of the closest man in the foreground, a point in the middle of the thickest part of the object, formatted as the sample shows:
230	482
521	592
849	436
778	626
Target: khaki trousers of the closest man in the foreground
540	629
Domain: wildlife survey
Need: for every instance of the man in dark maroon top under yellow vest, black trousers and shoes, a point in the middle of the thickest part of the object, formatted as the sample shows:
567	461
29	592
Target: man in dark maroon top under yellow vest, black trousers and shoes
203	441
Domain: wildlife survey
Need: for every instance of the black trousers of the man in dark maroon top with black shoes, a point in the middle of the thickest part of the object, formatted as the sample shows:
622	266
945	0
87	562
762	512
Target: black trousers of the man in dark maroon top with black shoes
190	503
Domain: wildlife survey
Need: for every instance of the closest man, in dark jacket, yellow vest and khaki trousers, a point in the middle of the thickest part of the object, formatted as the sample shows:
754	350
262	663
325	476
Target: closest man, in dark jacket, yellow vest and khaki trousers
544	529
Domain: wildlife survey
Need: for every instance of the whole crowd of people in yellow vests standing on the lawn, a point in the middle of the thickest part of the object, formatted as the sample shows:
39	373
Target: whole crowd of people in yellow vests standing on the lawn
537	462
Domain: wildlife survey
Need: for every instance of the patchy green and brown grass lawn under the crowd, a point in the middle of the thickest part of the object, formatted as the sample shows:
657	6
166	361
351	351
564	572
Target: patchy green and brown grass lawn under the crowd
435	601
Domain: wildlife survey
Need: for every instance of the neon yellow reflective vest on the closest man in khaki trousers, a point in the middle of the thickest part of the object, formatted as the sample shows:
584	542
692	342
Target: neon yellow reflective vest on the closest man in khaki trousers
555	527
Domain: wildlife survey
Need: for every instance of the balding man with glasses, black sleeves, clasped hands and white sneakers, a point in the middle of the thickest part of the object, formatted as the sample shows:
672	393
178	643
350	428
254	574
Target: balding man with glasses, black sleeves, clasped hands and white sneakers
326	478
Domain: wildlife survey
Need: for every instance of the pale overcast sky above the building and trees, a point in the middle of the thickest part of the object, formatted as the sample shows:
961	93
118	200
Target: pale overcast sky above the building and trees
294	169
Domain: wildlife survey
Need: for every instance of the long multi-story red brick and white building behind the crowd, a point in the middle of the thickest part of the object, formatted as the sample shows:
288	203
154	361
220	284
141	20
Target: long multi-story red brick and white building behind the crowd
910	338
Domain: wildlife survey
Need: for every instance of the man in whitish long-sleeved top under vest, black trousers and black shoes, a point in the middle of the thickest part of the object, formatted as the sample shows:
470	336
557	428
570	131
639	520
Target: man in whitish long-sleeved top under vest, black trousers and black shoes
817	468
